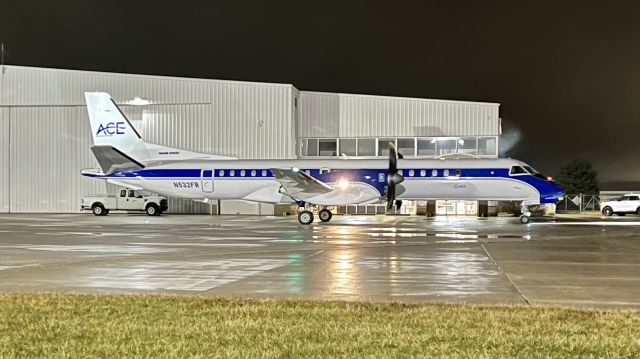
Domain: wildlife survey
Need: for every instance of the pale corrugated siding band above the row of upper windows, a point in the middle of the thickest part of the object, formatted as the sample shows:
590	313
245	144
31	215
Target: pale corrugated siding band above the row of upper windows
344	115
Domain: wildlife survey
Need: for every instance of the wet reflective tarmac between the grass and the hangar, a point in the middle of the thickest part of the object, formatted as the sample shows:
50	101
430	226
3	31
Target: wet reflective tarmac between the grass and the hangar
589	262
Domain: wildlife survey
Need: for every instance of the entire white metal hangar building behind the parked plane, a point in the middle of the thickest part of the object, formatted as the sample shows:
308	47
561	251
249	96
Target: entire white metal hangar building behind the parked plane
45	135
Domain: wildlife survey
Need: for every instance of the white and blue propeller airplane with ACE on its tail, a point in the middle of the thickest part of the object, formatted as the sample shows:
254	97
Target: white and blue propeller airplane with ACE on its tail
125	159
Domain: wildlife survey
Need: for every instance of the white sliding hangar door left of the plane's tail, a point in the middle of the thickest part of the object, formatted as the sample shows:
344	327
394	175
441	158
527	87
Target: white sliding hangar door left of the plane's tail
49	147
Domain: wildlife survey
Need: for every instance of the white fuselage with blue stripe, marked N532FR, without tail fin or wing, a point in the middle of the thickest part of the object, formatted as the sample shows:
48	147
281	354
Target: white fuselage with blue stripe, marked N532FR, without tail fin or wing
354	180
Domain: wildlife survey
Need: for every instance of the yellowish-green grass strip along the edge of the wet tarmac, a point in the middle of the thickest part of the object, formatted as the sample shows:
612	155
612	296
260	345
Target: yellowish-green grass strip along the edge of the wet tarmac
161	326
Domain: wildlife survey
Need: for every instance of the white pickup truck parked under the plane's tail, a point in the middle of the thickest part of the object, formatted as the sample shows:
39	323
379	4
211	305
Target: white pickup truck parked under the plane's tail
127	200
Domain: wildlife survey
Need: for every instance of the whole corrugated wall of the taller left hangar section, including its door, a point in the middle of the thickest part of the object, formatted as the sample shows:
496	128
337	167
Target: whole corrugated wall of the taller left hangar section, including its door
51	137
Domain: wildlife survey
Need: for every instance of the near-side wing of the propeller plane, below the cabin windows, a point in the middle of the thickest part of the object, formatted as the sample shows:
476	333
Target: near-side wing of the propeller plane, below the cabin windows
298	184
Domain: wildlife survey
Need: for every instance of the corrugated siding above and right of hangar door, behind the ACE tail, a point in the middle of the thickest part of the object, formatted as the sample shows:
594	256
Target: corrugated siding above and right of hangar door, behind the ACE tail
243	119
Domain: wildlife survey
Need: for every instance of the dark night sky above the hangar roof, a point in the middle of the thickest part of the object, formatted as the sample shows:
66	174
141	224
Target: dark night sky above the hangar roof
567	73
